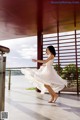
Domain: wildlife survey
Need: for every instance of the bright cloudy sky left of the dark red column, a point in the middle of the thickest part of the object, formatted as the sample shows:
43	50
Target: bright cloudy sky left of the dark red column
22	51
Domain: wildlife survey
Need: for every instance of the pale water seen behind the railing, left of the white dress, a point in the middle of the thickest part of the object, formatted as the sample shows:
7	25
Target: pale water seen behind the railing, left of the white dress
18	82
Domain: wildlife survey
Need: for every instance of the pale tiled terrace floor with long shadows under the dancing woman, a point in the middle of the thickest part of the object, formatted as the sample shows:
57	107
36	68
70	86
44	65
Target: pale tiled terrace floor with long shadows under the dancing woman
29	105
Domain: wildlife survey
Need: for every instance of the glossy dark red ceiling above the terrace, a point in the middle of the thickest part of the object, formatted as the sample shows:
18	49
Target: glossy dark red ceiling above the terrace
19	18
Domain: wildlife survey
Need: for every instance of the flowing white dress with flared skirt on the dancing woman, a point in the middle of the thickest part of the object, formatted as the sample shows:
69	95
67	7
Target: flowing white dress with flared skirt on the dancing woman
45	75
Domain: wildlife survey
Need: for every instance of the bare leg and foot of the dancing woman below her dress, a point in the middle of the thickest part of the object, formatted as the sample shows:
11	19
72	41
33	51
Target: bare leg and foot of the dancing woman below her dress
52	93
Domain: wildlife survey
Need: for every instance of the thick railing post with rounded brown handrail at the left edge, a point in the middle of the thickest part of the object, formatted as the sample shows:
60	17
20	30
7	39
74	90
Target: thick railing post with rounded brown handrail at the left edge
3	50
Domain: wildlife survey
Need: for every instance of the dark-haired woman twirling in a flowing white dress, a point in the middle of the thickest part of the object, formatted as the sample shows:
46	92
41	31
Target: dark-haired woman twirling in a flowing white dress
46	78
